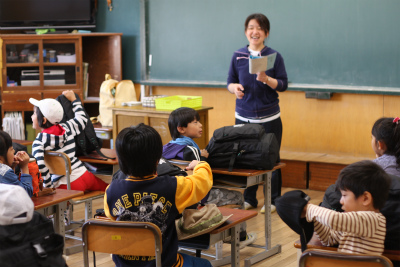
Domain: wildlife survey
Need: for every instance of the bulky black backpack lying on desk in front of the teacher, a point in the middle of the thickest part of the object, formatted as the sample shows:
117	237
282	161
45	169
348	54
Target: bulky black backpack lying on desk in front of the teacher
245	146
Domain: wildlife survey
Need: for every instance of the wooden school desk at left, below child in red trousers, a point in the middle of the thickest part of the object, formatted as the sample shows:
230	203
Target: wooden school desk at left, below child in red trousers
56	204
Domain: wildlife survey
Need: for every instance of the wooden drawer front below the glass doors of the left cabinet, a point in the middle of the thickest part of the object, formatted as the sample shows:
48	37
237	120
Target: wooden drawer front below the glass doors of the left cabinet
19	101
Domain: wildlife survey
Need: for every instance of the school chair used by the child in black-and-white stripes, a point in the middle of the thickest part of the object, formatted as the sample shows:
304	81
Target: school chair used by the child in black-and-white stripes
60	164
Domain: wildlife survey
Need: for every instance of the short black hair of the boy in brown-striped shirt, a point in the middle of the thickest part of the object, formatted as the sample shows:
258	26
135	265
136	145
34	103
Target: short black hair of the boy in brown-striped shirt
364	176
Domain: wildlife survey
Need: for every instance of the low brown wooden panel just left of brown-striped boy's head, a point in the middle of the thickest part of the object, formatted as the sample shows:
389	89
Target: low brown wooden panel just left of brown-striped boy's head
323	175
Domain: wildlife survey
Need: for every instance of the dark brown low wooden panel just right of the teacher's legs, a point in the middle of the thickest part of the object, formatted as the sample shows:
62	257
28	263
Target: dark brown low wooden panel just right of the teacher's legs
295	174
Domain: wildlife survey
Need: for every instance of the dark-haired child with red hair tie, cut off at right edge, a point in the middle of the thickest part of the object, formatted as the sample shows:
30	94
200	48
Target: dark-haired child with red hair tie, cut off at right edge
386	144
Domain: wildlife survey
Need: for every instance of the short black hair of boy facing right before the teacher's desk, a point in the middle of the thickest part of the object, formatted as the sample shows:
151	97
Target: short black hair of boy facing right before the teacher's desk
181	117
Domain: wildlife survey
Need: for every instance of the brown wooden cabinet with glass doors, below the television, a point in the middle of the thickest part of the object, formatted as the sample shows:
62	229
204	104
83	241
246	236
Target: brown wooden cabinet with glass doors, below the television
42	66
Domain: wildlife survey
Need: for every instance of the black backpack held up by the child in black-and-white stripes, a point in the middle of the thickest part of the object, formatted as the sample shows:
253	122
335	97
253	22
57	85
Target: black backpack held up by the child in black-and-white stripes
87	141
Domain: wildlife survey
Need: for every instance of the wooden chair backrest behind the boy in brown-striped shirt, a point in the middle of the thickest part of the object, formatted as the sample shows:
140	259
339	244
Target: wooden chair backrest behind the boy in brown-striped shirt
326	258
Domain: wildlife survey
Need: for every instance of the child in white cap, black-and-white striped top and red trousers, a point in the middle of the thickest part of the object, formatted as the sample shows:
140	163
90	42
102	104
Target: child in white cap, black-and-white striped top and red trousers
56	136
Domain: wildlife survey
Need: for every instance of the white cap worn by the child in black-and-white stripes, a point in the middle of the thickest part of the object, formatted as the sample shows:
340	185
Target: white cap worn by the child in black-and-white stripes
50	108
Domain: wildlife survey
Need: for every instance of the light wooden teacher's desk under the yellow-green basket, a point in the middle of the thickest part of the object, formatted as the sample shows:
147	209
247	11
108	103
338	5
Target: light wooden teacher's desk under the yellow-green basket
158	119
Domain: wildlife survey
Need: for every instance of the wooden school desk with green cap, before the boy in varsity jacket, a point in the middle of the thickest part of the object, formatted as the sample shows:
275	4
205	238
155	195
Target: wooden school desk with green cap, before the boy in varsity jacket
231	228
